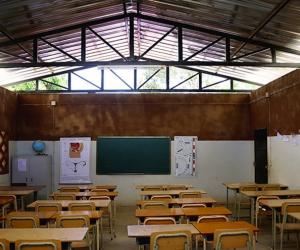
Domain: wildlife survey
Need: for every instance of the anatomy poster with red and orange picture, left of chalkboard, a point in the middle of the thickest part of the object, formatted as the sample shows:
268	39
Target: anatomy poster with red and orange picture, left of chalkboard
75	160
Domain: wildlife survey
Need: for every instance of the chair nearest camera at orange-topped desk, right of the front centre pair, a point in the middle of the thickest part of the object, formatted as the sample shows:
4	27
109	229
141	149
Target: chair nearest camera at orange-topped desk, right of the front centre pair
227	239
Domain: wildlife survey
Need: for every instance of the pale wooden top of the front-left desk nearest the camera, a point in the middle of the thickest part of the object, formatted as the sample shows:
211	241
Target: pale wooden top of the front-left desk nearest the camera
62	234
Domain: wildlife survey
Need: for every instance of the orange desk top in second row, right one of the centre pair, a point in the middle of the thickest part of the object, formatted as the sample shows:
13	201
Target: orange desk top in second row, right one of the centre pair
203	211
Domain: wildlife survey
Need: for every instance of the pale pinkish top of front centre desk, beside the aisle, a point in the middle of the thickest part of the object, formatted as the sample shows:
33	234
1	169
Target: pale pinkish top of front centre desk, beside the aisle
147	230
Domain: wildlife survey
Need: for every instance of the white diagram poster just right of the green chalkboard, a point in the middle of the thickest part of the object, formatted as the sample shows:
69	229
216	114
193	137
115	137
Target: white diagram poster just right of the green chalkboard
185	155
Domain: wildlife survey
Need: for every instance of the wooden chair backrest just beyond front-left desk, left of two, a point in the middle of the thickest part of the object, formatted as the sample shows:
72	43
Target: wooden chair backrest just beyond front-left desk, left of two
20	221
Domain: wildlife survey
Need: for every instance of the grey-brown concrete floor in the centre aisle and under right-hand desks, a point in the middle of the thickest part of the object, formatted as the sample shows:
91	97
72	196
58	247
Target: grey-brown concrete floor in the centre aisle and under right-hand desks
125	216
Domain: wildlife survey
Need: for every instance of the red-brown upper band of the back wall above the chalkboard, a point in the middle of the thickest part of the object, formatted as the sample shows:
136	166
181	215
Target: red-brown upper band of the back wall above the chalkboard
208	116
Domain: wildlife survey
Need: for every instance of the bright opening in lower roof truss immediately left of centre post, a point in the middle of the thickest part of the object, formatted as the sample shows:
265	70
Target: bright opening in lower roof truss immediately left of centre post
112	82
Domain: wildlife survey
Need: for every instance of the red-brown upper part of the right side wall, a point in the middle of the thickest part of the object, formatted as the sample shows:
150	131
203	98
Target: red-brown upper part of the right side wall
276	106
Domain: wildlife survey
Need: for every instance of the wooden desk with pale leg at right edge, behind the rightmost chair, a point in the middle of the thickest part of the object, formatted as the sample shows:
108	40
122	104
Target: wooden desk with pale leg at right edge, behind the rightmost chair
275	205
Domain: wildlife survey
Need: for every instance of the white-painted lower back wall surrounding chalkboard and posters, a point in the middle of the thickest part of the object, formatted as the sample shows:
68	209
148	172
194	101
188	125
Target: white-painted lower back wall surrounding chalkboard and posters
217	162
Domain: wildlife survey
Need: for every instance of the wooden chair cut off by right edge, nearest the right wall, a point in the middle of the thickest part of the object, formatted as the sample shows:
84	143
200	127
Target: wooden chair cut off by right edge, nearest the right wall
285	226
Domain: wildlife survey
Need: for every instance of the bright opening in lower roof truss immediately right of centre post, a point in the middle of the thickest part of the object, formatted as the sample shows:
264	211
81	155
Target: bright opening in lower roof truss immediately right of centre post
158	81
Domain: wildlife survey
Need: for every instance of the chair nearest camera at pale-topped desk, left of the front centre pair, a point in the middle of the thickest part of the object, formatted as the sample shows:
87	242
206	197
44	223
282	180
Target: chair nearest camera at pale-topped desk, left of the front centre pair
176	240
